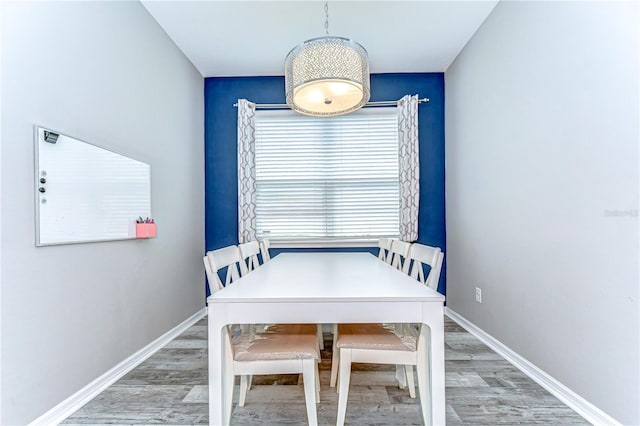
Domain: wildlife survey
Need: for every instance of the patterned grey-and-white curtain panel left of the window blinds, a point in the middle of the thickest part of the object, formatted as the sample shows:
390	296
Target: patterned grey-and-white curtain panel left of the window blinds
246	172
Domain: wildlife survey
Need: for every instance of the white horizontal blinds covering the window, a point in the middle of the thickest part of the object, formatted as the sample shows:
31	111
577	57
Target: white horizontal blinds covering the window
327	179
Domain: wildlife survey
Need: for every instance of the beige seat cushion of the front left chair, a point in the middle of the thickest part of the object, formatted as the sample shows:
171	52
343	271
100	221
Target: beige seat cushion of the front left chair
281	341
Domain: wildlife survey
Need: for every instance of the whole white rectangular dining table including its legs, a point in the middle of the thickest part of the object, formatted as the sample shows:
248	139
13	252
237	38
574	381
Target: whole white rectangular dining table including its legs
326	288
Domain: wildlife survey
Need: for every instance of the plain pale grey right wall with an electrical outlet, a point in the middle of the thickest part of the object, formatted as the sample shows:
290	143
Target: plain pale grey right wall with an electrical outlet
542	191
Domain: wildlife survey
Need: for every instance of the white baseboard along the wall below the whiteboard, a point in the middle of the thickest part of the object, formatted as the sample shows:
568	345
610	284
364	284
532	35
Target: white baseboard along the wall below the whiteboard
70	405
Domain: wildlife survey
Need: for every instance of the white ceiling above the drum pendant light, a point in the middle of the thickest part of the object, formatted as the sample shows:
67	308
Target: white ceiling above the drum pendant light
252	38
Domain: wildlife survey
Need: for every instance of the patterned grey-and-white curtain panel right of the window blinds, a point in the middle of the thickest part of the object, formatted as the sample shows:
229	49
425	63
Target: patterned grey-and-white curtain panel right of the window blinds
409	167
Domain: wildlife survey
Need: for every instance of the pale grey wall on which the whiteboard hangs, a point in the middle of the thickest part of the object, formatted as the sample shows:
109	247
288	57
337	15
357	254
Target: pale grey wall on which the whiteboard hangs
106	73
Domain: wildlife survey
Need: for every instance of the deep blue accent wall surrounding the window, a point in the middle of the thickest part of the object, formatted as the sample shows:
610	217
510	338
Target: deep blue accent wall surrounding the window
221	215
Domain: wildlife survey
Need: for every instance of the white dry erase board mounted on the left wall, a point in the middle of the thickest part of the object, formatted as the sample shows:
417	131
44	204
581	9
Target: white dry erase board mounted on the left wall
85	193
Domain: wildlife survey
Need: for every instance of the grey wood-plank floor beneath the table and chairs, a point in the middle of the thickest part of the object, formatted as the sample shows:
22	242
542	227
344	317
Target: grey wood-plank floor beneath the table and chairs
171	388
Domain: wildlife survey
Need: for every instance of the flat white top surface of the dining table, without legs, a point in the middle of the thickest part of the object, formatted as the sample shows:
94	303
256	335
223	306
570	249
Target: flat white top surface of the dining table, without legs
325	277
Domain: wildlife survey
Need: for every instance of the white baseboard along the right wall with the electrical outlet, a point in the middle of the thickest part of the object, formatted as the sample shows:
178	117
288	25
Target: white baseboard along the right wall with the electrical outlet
587	410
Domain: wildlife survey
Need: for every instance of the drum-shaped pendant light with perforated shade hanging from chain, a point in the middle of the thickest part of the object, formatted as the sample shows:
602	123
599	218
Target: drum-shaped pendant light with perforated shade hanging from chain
327	76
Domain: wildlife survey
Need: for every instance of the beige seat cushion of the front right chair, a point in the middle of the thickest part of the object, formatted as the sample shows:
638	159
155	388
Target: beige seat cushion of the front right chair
374	336
